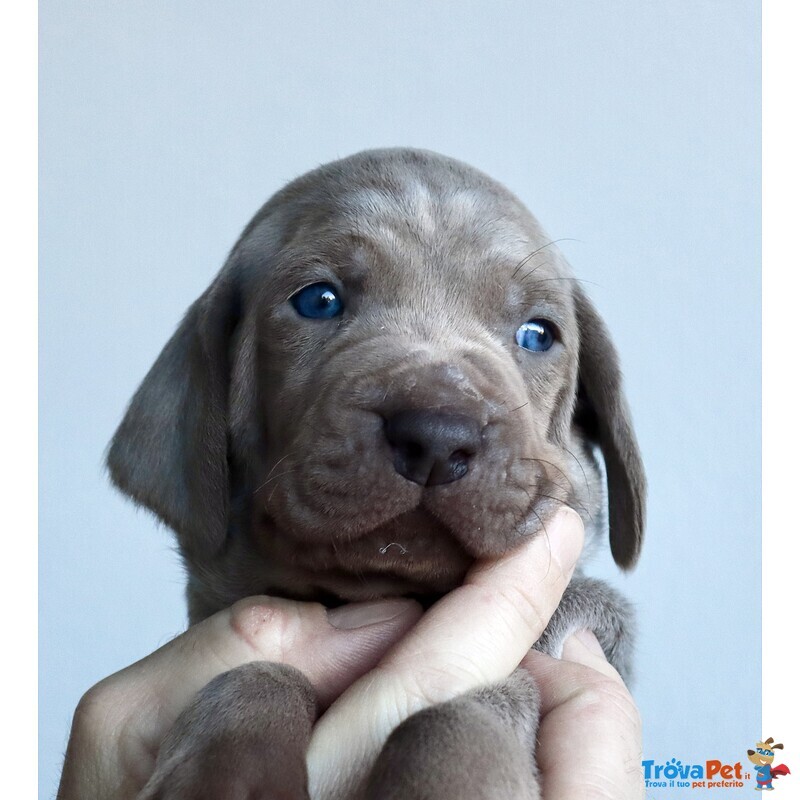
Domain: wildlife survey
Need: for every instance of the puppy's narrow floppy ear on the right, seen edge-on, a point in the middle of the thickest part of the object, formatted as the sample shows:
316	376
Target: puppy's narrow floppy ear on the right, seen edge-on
604	413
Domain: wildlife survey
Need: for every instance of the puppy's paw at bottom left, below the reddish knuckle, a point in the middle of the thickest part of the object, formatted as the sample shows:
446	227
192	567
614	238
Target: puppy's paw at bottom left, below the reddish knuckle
243	738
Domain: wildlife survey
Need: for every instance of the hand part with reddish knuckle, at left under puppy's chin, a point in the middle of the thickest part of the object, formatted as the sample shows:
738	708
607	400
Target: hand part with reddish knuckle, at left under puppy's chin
120	723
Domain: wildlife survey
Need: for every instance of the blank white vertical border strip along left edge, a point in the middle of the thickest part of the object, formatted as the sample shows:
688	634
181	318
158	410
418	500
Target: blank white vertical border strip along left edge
18	413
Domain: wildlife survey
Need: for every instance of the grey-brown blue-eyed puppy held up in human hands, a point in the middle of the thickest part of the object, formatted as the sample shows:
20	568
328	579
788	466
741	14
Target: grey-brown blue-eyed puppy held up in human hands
393	374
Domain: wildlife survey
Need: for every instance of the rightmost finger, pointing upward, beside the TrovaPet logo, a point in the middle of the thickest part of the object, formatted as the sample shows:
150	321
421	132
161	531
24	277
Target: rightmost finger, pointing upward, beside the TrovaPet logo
589	739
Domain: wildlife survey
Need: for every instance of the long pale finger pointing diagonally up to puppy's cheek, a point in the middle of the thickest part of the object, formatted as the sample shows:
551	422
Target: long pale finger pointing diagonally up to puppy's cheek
477	634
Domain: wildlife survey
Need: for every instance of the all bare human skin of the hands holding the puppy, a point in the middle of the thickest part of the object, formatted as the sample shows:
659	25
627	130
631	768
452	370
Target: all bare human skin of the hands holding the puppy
374	664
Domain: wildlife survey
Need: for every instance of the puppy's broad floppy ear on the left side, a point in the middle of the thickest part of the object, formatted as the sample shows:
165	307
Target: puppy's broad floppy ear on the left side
170	453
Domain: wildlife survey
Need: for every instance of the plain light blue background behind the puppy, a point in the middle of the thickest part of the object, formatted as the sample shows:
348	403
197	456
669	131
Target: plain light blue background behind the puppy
631	126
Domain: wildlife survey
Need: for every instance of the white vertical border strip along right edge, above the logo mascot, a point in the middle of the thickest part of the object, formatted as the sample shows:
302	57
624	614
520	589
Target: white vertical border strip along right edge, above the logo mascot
781	442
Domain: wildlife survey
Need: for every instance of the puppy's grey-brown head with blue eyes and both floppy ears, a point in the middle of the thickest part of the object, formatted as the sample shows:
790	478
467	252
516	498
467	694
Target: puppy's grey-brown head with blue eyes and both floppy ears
393	374
